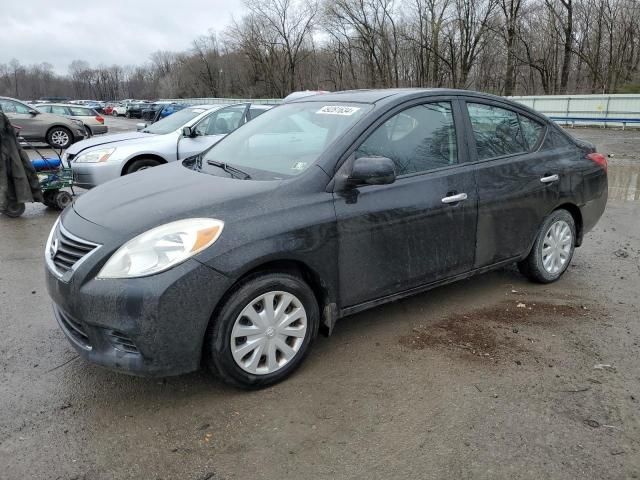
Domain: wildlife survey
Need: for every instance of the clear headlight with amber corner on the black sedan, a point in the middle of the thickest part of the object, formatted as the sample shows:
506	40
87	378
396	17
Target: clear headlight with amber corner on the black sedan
162	248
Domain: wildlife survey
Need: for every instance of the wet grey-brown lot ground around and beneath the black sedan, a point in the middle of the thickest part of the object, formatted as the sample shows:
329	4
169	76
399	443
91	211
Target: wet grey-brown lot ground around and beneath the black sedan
492	377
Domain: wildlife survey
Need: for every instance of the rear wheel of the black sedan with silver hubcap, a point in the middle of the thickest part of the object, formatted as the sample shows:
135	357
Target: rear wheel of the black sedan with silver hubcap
553	249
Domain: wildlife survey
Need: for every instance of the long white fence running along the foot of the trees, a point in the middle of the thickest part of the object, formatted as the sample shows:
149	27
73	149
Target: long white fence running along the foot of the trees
595	109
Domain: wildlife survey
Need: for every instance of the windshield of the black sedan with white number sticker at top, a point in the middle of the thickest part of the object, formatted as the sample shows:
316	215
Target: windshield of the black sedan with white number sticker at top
285	141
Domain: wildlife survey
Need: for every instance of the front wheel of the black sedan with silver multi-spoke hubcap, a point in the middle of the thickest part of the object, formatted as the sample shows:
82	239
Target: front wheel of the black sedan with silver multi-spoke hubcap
263	331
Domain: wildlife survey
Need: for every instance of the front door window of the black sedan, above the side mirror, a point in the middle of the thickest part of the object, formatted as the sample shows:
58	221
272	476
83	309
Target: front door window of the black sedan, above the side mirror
419	139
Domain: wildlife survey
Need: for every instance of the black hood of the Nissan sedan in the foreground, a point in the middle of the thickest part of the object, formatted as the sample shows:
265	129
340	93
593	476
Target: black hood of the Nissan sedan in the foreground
137	202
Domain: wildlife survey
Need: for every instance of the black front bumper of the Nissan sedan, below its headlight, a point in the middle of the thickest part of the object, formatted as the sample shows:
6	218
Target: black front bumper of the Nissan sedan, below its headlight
150	326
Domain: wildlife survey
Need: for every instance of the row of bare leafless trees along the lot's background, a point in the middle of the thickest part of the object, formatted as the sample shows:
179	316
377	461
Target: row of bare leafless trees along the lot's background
507	47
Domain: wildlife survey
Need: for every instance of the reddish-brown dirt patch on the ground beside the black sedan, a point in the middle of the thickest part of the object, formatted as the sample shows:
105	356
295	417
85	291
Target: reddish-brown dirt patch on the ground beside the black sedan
493	331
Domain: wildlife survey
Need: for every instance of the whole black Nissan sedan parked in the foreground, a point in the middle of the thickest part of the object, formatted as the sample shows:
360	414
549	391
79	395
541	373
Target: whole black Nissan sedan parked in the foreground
317	209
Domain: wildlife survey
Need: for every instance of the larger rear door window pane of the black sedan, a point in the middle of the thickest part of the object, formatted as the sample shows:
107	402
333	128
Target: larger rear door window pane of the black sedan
496	130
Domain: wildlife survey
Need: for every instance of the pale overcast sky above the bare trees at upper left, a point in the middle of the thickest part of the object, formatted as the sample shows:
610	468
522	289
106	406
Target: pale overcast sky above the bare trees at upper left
107	31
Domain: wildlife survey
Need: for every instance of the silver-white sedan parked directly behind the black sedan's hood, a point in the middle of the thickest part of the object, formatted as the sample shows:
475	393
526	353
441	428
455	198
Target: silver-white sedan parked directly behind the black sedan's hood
176	137
